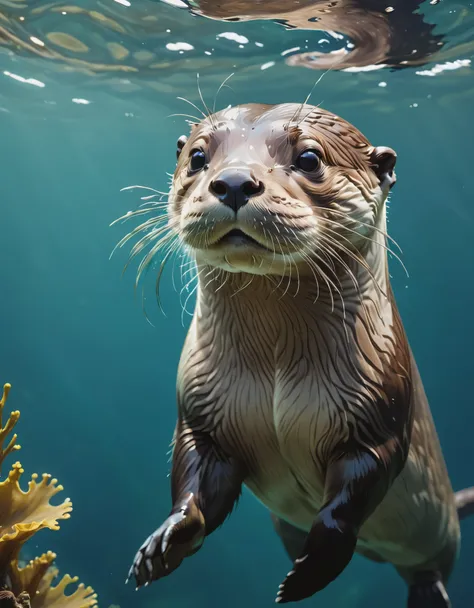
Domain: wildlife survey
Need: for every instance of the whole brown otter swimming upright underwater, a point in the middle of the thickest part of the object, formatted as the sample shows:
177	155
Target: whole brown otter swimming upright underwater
296	377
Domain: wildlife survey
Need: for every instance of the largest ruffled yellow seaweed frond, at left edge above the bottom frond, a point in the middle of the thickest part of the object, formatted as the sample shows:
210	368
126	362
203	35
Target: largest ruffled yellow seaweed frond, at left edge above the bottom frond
22	514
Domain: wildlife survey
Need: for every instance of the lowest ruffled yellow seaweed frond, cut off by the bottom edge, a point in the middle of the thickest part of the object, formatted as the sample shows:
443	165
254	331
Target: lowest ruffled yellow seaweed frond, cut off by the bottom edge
54	597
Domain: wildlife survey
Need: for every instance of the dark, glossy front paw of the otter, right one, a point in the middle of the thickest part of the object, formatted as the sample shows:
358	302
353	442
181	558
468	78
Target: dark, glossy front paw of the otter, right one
327	552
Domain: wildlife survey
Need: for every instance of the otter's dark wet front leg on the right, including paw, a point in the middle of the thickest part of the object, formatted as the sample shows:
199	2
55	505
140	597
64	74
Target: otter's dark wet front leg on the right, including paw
355	484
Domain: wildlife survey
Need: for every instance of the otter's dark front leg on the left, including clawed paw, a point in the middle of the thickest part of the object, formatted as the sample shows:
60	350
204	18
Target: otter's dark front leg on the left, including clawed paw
205	485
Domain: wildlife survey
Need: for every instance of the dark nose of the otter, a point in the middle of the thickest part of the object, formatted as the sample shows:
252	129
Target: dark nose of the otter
235	187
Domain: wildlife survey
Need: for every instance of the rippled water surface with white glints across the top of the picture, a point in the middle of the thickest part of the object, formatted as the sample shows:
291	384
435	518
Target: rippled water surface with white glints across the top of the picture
147	48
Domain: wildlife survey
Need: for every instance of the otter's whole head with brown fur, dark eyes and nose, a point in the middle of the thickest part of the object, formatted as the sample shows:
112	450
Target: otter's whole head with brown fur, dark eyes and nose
260	188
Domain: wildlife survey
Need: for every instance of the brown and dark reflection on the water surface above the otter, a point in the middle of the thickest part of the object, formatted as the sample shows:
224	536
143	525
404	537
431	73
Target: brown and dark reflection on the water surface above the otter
388	33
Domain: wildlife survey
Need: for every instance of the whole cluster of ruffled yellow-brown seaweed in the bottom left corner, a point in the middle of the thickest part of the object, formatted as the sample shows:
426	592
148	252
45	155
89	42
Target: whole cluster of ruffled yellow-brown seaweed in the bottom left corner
22	515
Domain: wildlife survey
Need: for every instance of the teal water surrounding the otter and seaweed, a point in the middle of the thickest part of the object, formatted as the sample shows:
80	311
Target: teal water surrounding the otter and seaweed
93	378
